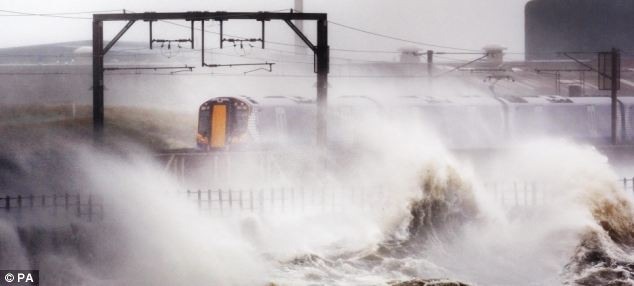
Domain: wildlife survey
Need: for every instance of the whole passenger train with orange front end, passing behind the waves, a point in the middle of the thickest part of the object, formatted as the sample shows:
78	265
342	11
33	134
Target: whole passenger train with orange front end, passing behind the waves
462	122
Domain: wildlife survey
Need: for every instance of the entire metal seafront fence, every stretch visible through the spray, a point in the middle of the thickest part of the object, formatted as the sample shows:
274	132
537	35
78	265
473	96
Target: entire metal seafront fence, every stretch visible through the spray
271	200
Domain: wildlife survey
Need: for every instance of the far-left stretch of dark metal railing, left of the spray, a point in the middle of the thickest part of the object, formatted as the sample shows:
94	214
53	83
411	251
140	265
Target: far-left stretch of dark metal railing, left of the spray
85	206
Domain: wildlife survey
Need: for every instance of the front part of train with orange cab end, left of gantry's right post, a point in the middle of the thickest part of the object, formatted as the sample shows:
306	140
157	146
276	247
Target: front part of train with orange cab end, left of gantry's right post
243	122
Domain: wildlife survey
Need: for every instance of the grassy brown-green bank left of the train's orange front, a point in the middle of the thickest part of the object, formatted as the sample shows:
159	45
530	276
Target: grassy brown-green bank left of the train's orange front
151	128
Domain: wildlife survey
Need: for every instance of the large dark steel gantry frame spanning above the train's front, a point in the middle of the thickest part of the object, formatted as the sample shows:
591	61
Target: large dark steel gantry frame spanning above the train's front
321	50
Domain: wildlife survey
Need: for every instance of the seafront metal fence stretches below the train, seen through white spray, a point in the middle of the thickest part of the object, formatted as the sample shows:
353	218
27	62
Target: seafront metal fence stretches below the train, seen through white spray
292	199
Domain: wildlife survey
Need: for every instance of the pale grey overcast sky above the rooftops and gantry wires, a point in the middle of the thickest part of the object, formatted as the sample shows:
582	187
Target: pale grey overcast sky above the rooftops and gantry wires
466	24
